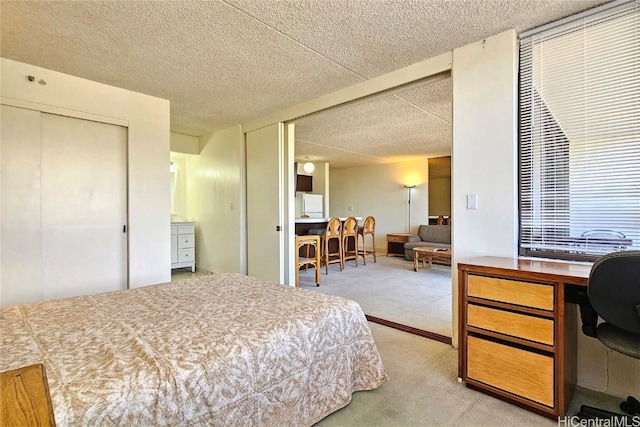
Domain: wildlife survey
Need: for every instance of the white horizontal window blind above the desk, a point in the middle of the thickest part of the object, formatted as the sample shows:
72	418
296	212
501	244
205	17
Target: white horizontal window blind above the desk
580	136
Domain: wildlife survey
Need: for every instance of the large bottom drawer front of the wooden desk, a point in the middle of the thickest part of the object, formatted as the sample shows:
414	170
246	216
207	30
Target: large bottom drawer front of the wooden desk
517	371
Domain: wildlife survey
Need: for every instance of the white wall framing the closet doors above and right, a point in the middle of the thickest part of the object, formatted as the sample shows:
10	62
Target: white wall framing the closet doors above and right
147	119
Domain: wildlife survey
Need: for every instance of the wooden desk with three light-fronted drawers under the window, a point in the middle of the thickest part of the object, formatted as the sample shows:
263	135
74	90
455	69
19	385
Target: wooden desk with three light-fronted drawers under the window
517	333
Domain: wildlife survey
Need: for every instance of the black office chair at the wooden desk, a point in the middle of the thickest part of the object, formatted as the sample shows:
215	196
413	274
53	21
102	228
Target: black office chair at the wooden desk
614	295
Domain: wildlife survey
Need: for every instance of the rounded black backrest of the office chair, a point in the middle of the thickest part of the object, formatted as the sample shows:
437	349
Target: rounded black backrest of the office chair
614	289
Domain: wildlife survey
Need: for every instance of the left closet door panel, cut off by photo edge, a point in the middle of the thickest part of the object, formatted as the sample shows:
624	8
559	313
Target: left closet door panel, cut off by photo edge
20	221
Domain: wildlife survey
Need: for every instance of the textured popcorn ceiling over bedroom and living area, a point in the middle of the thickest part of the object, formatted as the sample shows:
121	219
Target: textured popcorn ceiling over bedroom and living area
231	61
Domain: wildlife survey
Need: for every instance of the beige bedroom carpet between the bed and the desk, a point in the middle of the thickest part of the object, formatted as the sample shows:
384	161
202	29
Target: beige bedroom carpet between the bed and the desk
423	391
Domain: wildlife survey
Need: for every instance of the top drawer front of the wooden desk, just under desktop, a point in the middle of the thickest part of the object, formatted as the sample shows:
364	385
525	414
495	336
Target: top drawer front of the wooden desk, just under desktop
511	291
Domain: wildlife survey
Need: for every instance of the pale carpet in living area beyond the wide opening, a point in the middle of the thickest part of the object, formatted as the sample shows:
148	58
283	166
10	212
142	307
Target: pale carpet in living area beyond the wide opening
391	290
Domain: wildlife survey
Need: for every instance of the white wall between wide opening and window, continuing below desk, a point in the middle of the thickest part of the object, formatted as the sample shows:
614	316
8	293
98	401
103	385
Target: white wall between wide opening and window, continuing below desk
485	163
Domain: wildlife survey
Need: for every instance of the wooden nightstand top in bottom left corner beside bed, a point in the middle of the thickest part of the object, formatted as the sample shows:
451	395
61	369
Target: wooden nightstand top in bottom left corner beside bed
25	398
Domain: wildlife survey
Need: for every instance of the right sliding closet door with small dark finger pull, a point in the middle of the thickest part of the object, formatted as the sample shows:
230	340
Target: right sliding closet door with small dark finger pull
84	206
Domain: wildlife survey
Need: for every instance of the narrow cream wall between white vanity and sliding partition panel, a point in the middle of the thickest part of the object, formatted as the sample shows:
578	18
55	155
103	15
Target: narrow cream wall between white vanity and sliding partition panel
214	200
